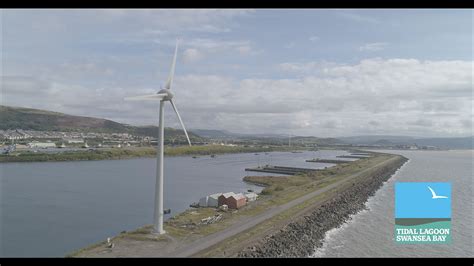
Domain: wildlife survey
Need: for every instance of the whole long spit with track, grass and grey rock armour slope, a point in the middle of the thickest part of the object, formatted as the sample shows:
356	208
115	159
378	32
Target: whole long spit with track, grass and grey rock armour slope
267	228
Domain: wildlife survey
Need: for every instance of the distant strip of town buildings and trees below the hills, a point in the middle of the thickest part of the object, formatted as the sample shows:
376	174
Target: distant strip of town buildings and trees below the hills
32	139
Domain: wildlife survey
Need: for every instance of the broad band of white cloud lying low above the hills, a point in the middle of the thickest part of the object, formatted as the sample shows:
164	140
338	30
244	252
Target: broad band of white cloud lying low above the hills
373	96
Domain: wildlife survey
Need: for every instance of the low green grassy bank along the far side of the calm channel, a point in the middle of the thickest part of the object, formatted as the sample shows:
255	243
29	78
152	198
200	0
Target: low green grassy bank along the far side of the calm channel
131	152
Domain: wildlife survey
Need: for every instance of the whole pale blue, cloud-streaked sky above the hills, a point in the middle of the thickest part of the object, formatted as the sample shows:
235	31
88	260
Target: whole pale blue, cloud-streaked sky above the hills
314	72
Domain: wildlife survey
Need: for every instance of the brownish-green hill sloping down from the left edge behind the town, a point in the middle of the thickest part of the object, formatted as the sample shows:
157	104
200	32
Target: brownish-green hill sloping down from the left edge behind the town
35	119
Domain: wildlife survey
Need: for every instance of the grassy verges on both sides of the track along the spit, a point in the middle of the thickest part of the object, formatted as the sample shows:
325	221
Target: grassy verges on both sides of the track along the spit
184	227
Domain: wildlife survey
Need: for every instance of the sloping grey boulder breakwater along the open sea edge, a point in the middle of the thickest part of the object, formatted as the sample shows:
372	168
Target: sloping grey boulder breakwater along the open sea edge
300	237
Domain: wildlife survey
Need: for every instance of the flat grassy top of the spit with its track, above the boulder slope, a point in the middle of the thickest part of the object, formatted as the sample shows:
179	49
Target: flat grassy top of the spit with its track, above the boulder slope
246	230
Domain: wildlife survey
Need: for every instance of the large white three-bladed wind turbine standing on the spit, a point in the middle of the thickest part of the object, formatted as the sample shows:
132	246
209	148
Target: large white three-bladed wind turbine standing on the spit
164	95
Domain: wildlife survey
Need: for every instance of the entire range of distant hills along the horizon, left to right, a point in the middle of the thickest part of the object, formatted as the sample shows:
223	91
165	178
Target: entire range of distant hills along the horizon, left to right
34	119
